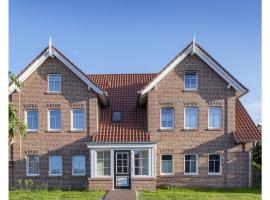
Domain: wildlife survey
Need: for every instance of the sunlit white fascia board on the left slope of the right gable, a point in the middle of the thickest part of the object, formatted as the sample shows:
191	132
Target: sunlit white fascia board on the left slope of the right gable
166	71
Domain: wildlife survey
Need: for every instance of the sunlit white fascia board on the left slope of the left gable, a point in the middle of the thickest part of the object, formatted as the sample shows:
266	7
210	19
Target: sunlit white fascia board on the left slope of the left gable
30	70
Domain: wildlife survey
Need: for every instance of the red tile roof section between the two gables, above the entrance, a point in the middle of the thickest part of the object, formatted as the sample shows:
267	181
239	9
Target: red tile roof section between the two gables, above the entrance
123	93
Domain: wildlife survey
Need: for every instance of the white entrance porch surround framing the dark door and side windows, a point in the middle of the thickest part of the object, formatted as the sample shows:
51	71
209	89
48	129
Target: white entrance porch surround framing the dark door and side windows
95	147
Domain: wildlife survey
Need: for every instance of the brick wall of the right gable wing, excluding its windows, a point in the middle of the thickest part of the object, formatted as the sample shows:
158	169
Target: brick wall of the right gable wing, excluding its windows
212	91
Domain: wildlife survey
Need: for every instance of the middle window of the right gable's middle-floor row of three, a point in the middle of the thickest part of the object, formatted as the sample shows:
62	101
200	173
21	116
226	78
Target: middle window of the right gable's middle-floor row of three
191	118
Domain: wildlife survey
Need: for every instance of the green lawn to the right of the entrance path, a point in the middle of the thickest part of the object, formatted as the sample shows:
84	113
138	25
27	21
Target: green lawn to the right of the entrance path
202	194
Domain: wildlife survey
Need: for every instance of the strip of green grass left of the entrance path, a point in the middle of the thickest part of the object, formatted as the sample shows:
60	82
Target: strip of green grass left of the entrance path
56	195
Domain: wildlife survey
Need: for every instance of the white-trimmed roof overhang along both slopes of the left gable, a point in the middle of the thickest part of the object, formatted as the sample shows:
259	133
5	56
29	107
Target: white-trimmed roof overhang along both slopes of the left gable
51	52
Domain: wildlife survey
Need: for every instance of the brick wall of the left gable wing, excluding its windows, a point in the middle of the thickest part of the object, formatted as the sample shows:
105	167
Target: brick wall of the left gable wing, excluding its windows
74	94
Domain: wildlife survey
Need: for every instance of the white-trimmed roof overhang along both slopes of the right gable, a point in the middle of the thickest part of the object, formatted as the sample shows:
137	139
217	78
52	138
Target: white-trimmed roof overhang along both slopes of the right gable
192	49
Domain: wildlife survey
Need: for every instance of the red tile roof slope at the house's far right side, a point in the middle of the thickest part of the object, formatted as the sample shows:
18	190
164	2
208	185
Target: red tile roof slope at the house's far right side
246	130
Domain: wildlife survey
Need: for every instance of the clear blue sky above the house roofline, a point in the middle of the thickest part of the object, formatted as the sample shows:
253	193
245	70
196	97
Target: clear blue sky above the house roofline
140	36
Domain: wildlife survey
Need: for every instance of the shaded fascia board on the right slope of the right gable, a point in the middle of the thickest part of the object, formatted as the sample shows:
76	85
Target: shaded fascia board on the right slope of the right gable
219	71
